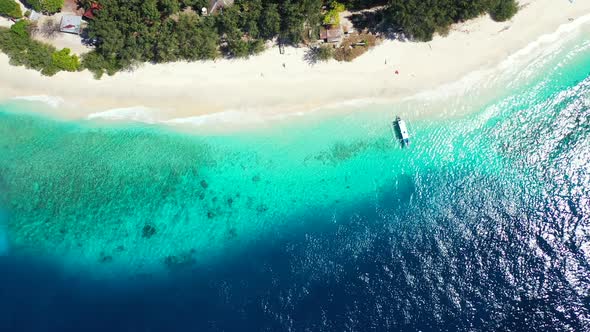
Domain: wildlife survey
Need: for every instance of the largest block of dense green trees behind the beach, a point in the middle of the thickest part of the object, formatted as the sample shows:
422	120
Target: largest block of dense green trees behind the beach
125	32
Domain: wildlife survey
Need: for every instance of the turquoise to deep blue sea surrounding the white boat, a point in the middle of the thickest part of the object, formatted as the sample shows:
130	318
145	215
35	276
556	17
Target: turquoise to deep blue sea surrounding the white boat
321	224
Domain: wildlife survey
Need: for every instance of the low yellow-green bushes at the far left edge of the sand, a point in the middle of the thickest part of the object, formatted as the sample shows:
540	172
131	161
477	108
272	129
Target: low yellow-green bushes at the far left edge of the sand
16	42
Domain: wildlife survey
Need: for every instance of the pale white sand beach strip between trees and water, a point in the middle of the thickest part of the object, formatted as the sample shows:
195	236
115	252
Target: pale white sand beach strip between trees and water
261	89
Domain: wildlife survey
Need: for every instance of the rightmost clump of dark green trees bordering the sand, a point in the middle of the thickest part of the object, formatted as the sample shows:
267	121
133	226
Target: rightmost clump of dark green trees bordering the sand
421	19
